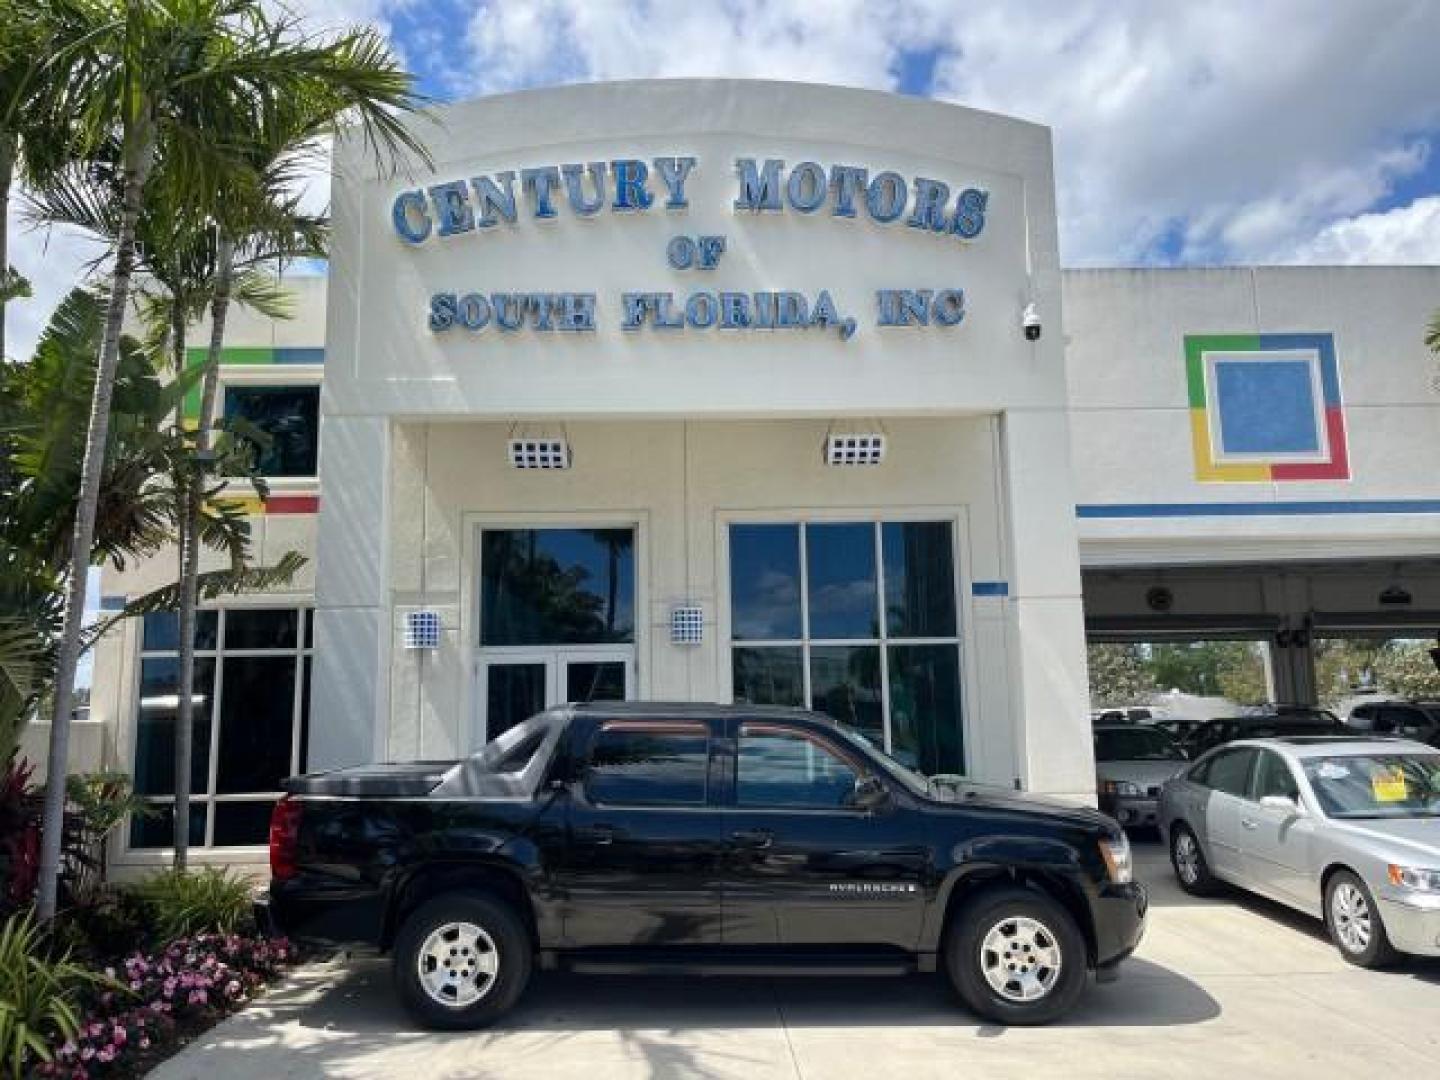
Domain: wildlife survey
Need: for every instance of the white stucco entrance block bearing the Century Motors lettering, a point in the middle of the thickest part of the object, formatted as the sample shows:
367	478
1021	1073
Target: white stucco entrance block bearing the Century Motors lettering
391	382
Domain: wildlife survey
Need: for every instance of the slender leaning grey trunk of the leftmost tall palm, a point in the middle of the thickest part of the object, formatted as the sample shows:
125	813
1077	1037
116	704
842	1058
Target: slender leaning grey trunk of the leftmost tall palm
140	146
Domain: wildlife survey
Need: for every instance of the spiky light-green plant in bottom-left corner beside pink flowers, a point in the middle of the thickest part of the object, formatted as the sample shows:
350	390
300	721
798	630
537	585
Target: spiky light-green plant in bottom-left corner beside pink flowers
38	996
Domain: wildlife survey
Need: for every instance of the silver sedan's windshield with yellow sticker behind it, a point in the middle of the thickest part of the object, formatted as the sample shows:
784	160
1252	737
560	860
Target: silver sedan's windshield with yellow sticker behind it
1389	786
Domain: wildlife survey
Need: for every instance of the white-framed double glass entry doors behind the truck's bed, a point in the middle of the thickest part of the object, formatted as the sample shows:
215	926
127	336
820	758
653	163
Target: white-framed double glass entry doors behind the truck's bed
513	686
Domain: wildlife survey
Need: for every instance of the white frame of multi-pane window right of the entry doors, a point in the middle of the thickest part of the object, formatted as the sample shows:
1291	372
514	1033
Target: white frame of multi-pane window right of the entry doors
957	518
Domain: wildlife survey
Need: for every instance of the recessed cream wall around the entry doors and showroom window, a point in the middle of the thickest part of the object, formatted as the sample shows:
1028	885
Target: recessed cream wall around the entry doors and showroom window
680	485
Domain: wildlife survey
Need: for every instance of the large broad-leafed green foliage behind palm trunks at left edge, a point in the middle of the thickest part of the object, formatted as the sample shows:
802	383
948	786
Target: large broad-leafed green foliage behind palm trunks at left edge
149	464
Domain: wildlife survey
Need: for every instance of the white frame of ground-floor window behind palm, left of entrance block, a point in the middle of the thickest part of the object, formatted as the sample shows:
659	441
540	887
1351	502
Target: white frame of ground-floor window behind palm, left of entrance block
247	853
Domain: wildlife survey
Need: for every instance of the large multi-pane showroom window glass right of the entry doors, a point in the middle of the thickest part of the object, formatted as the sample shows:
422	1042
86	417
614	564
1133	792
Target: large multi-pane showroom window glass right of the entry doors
855	620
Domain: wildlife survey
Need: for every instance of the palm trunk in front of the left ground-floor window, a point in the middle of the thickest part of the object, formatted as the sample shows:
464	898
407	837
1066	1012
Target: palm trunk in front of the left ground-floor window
191	572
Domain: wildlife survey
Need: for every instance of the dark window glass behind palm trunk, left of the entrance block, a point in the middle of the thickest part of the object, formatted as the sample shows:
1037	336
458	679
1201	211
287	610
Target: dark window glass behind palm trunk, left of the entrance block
251	716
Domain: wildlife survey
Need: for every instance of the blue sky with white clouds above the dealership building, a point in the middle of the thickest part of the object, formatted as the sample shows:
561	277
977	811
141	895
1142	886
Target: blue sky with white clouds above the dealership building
1186	132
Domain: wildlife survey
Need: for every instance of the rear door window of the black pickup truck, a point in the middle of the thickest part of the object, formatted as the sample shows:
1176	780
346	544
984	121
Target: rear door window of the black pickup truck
649	765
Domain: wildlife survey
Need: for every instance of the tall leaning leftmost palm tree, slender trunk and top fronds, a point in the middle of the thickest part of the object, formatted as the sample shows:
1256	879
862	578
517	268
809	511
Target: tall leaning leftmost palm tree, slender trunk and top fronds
176	80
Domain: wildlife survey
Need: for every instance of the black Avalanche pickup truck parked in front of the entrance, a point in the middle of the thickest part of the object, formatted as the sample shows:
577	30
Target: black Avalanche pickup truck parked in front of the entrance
701	840
